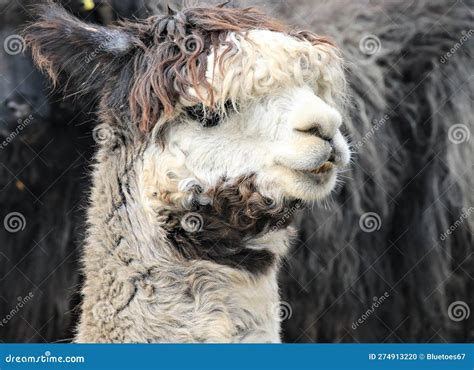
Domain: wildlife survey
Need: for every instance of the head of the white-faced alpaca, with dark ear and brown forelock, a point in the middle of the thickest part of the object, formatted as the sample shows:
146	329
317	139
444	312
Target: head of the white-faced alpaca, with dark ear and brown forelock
217	94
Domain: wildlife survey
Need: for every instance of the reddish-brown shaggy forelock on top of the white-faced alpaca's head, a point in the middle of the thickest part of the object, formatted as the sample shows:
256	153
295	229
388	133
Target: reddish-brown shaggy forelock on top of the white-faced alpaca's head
174	56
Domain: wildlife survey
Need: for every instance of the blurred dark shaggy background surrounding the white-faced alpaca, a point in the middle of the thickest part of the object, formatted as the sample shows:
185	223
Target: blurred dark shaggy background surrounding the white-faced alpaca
388	258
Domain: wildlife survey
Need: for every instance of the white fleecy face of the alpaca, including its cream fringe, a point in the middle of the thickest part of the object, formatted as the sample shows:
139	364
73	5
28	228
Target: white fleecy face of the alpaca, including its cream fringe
286	125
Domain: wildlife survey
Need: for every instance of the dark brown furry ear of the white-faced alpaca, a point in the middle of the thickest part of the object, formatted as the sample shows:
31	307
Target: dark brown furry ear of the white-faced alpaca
83	54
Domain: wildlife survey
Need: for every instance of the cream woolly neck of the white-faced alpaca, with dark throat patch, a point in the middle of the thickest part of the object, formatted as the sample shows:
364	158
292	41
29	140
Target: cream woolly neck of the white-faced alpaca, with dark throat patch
149	279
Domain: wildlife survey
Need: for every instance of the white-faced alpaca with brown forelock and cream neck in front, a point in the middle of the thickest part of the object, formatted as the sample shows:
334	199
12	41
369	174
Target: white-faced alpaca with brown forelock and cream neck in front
214	122
